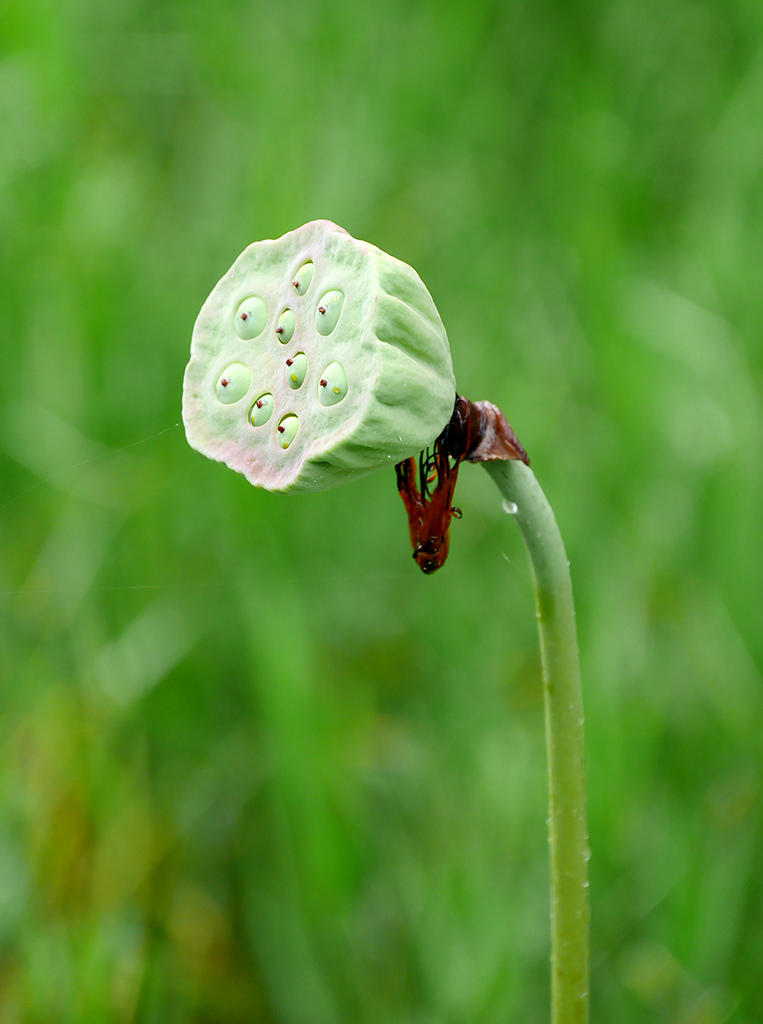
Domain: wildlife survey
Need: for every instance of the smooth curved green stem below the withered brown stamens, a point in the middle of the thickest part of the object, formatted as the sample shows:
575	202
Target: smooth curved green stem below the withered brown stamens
562	689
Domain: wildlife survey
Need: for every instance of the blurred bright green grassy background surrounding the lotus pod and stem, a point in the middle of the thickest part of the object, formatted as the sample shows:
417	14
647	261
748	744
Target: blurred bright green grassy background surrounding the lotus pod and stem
255	766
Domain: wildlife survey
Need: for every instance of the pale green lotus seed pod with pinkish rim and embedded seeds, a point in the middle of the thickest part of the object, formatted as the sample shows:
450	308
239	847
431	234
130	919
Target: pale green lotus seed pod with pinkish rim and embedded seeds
368	379
